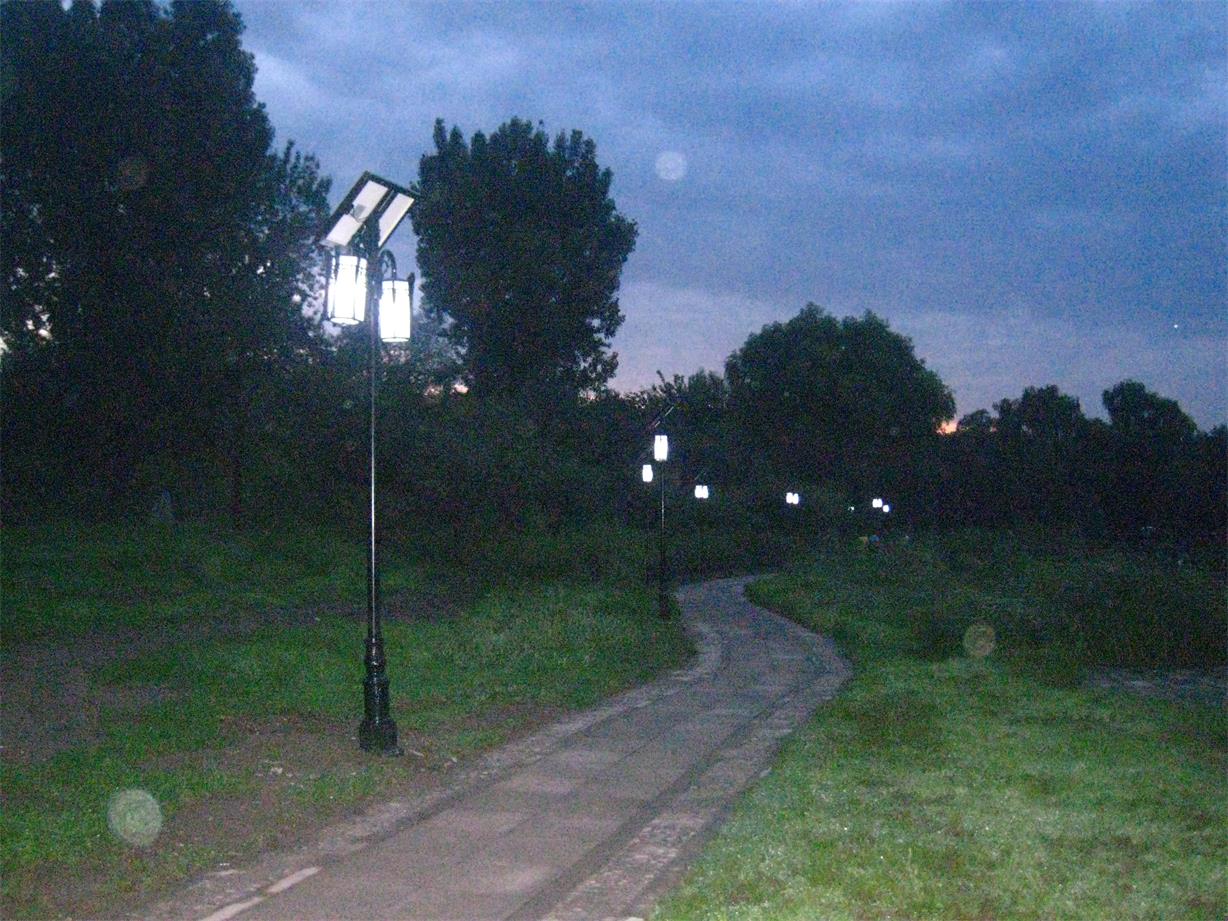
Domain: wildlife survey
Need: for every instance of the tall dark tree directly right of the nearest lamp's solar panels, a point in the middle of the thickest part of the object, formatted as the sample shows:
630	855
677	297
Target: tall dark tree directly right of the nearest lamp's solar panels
521	250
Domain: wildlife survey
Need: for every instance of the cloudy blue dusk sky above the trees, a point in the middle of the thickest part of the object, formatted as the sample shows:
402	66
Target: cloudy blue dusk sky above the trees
1033	193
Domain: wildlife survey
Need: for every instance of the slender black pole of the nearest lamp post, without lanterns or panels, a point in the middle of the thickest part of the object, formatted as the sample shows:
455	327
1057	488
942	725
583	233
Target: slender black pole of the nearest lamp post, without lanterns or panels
378	733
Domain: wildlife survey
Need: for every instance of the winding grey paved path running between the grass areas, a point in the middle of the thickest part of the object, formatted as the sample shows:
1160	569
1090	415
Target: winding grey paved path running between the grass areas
593	818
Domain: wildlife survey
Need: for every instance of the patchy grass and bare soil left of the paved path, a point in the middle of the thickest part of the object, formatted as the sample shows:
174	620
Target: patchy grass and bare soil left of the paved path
223	675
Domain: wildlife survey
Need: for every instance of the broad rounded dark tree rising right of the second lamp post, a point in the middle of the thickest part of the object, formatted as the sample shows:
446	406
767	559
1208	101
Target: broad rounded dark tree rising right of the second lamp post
839	402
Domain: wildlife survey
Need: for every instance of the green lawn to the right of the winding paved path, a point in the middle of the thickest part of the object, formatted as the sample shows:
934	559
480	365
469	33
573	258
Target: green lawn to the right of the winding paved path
940	785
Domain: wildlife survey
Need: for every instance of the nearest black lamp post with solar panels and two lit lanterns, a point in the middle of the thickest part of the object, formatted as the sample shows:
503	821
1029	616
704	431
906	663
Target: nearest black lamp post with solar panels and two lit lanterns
363	286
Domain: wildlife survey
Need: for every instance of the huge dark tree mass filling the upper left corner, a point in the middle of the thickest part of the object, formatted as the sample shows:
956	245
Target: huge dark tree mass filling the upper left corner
157	251
